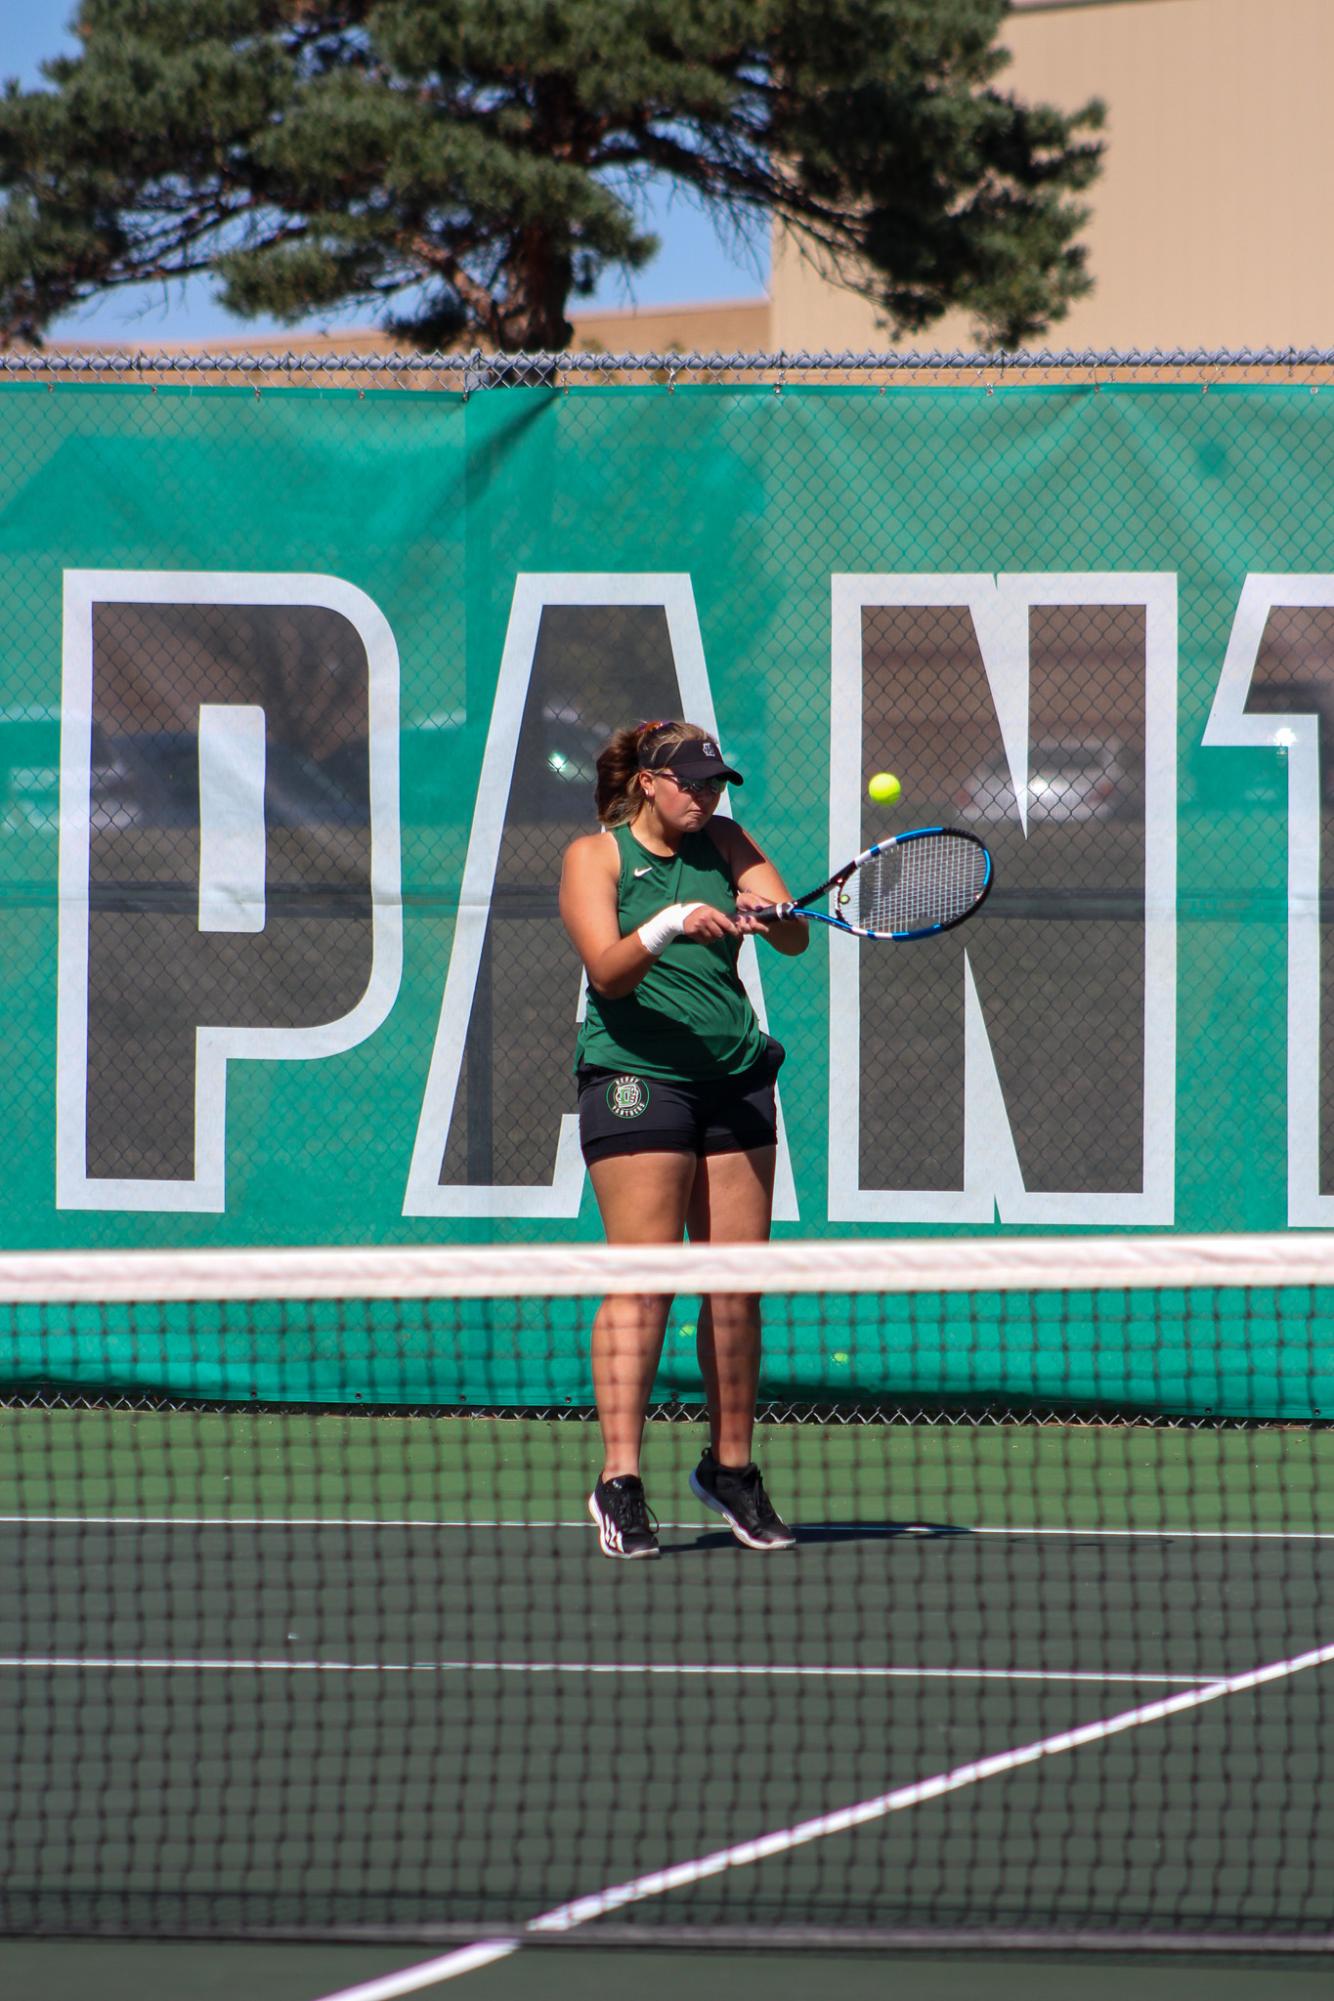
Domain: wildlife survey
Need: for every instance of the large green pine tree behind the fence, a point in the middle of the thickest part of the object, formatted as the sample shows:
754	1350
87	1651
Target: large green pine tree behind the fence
465	169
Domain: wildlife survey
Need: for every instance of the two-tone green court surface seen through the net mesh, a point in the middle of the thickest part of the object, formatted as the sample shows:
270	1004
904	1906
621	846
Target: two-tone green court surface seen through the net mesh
369	1678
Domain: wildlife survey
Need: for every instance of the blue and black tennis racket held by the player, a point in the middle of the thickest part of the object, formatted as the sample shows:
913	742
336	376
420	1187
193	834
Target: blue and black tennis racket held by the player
907	887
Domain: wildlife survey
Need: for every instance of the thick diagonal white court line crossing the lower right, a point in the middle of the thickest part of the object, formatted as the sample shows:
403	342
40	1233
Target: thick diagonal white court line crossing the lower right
583	1910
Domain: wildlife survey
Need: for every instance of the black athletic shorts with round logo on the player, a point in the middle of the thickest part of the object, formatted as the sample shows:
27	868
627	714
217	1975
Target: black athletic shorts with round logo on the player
625	1114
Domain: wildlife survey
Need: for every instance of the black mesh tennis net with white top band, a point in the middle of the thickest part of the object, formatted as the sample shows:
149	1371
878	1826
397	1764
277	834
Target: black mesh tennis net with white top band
307	1632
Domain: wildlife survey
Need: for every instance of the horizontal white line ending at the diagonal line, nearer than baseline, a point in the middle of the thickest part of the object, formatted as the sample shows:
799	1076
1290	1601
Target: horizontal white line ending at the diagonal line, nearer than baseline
805	1672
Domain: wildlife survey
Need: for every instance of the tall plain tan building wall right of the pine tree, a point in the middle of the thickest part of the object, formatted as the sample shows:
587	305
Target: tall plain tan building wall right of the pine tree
1213	215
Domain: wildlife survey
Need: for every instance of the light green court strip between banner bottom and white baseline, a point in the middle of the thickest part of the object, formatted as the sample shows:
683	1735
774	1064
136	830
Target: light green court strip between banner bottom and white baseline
337	1466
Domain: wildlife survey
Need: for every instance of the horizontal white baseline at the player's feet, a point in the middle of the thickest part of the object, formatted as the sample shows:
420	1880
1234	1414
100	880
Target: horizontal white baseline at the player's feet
429	1522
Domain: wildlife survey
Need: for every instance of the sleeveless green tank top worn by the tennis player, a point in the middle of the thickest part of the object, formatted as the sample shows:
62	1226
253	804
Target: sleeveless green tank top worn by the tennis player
689	1018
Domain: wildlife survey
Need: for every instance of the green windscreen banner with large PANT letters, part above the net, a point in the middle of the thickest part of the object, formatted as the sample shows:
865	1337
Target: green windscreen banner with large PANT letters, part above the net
301	701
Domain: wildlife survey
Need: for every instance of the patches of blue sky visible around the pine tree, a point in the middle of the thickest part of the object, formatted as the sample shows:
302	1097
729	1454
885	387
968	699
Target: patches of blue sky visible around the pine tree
693	265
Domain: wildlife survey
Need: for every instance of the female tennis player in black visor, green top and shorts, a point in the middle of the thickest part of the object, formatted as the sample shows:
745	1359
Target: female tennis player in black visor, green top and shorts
677	1100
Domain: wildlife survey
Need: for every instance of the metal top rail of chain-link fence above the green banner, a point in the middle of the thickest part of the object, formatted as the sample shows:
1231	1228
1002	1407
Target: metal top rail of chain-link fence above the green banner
489	371
